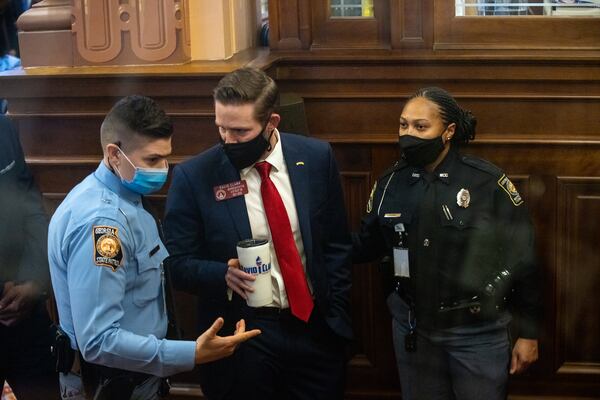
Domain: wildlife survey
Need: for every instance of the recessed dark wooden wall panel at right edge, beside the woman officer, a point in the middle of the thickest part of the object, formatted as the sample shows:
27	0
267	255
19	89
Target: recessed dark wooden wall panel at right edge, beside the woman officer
578	275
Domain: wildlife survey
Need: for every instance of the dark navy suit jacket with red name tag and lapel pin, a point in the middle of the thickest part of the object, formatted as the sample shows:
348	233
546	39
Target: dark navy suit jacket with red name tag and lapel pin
202	233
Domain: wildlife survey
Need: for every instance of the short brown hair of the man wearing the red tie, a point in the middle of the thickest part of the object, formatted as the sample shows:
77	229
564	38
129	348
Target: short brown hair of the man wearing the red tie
249	85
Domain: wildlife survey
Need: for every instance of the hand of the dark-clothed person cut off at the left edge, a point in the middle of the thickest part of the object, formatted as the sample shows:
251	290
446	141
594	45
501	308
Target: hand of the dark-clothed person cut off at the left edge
17	302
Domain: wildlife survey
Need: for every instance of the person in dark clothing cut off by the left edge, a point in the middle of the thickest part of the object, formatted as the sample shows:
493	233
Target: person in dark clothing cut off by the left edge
25	328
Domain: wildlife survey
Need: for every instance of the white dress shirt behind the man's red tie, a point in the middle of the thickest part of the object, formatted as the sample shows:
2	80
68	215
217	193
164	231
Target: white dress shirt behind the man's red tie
258	219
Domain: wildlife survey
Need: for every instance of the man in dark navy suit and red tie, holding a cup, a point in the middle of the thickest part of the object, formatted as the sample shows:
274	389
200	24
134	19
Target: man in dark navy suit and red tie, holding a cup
260	183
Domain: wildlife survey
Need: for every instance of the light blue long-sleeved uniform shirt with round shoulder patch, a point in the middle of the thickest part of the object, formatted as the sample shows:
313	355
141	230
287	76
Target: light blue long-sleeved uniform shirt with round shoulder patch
106	258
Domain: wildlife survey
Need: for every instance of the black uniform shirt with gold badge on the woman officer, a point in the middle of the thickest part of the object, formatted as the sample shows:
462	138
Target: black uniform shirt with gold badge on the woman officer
465	222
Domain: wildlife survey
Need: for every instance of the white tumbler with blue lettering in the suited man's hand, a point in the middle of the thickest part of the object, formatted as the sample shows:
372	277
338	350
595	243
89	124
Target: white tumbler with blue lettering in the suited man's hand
255	259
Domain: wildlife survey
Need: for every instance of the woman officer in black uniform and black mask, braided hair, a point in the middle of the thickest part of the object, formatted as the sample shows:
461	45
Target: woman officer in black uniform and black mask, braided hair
458	241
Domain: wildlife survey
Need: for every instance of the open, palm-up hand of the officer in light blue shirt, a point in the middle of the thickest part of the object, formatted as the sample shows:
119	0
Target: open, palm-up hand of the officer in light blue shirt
210	347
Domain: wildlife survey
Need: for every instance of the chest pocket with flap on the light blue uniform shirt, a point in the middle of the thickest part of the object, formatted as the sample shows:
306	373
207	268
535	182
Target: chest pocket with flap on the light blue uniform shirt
148	281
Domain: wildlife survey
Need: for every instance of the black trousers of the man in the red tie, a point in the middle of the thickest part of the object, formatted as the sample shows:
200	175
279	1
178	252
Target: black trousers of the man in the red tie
290	359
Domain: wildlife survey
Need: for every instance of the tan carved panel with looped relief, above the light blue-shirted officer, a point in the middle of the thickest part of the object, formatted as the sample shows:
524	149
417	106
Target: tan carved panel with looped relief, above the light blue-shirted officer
126	32
